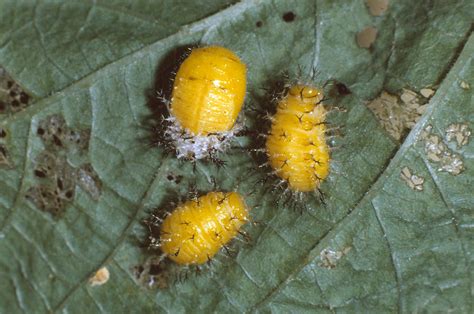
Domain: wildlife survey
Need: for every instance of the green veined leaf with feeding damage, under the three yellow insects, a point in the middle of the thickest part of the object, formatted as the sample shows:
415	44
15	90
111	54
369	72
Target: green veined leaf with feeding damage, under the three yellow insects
378	245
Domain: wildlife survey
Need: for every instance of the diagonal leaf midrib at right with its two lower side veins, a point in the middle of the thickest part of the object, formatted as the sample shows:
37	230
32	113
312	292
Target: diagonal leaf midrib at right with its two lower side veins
376	187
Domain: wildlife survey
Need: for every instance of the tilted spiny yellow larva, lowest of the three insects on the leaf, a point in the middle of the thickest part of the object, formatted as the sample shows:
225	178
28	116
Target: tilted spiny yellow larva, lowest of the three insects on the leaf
196	230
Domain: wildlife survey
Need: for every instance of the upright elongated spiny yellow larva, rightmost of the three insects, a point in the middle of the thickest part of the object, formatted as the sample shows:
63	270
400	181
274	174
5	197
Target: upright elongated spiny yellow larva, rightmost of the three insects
296	145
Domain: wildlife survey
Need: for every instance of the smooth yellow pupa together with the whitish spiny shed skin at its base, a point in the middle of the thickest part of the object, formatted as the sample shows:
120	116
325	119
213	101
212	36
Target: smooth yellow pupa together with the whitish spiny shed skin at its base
208	94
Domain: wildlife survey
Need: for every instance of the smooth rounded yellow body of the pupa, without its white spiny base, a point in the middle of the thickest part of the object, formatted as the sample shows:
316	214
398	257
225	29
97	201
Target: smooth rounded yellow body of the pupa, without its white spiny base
209	90
